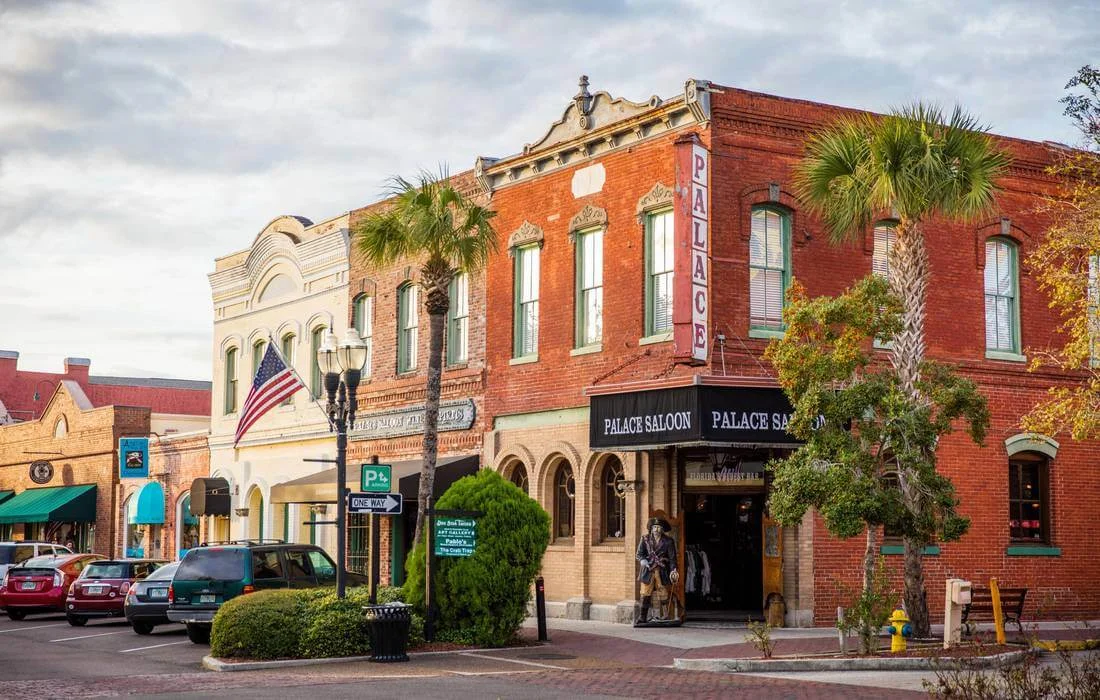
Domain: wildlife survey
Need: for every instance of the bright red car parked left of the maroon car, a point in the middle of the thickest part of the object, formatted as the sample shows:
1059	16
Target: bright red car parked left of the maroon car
41	584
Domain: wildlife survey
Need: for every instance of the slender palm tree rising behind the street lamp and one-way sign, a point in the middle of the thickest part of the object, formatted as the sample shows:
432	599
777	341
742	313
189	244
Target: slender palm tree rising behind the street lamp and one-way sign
433	222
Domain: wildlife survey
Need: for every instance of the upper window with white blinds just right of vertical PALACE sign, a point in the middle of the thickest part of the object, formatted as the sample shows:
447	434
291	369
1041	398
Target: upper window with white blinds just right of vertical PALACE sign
768	268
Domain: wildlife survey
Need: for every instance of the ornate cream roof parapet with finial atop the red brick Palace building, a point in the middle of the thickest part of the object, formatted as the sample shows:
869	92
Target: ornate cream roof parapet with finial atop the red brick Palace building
595	125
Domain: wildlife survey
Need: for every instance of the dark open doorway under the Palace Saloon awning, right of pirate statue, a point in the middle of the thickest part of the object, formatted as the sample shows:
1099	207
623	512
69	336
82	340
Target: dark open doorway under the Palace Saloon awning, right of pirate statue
723	556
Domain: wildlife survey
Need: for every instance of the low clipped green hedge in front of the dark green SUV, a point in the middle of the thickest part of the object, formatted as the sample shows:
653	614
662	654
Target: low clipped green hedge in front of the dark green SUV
307	624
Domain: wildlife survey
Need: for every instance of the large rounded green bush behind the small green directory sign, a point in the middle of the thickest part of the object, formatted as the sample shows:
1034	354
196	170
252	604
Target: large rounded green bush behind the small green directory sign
483	598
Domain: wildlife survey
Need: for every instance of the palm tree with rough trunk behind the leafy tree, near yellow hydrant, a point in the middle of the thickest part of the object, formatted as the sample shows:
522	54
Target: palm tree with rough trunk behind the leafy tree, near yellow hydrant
912	166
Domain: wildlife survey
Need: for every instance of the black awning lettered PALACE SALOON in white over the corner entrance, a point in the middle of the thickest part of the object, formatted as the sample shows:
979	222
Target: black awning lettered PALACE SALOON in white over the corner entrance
690	414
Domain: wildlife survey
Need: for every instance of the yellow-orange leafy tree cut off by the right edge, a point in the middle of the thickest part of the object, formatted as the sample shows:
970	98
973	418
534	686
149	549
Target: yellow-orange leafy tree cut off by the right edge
1066	266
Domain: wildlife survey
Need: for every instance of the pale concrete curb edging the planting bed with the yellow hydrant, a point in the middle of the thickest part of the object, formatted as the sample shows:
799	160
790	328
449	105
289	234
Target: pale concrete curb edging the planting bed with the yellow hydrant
760	666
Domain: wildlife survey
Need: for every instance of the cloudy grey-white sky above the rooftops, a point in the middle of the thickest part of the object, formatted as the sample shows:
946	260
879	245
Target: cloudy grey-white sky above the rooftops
141	140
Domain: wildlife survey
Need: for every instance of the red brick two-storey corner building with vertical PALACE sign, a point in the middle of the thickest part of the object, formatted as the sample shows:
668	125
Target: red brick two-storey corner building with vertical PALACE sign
646	250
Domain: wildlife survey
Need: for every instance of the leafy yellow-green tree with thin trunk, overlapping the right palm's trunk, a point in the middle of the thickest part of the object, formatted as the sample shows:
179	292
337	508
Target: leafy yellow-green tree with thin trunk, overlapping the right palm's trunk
862	429
